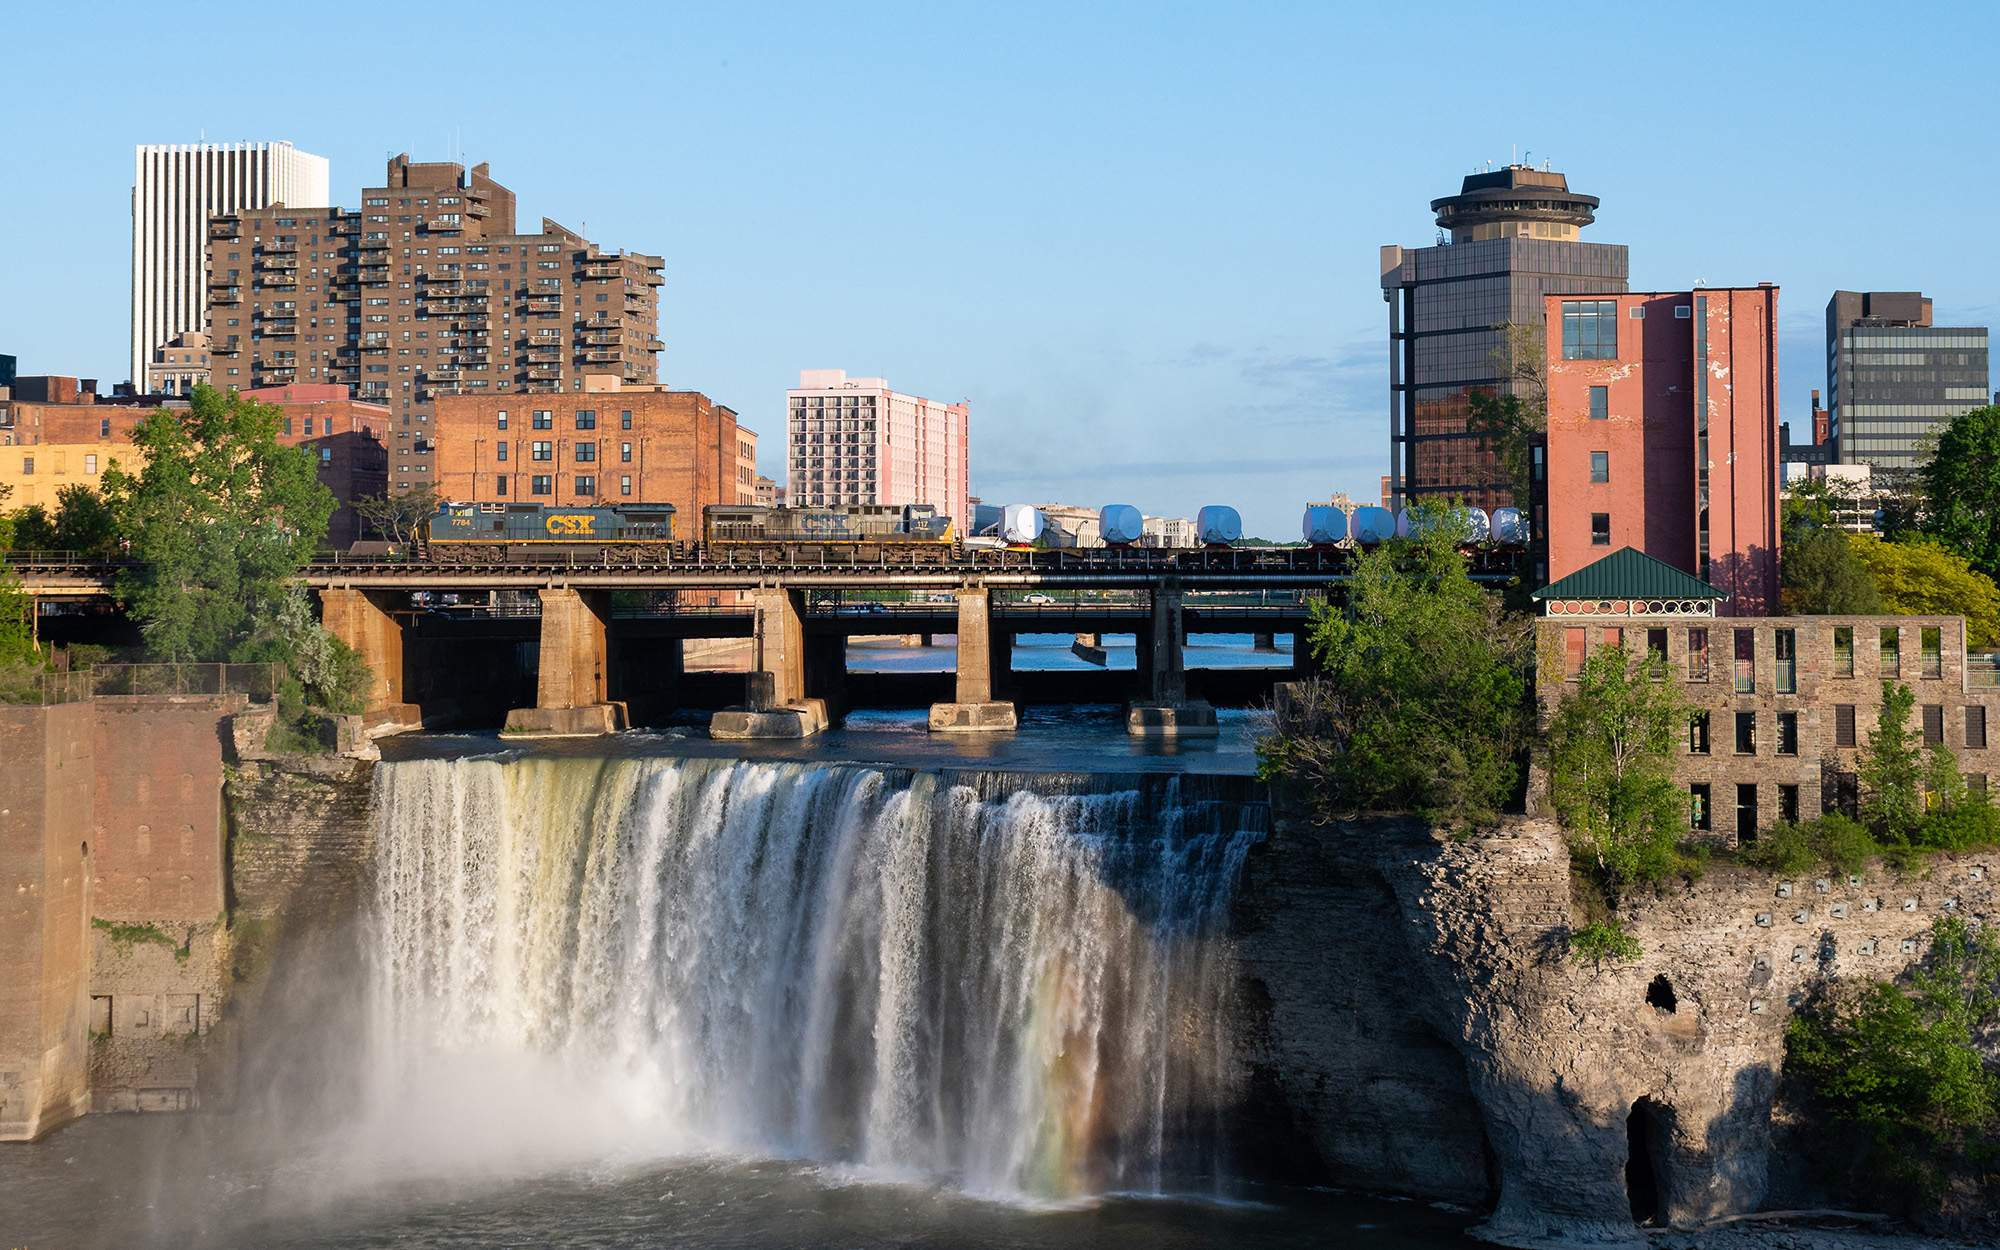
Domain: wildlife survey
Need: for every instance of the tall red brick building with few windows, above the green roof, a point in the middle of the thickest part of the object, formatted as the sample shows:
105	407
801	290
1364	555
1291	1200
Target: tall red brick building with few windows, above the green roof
1663	435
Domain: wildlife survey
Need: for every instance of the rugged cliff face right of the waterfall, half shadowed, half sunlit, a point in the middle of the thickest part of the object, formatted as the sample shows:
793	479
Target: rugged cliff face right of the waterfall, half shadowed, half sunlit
1425	1027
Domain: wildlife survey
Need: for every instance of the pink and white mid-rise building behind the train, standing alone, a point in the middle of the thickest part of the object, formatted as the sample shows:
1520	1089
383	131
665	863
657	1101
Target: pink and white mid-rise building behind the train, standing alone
855	441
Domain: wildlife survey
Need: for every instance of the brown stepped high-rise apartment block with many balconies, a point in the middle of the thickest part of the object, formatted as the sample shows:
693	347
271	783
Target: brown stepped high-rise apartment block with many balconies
425	293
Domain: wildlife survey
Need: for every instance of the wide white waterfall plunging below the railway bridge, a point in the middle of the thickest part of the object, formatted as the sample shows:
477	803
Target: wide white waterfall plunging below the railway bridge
1007	983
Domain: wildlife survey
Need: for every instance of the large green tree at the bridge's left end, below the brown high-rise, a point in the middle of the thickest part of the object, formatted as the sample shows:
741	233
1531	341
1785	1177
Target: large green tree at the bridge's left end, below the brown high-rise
223	517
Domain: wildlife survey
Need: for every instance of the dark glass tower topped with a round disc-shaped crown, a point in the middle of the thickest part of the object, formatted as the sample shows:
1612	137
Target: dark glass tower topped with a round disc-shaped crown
1505	241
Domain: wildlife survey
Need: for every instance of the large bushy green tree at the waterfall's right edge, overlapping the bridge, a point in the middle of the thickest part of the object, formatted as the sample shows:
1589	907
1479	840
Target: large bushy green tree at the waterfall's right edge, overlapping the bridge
1423	703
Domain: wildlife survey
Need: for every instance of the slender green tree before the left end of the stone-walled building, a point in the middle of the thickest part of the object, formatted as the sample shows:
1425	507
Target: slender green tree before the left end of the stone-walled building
1611	769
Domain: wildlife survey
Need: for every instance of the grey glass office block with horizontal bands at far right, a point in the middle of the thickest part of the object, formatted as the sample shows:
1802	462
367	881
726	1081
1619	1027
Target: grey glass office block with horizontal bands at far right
1893	379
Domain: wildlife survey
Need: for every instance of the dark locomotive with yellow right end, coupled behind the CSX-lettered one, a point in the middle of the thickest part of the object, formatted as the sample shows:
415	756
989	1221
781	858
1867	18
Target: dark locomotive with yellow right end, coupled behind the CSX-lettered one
849	535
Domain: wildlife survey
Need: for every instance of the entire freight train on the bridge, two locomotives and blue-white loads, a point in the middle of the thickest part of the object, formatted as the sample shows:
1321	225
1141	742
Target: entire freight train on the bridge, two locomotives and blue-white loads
865	533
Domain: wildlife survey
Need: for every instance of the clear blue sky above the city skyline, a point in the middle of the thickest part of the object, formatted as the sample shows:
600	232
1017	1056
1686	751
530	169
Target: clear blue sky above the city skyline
1141	239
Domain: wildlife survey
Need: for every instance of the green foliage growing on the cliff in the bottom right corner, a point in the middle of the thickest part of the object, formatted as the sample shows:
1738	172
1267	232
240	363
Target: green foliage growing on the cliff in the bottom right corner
1903	1063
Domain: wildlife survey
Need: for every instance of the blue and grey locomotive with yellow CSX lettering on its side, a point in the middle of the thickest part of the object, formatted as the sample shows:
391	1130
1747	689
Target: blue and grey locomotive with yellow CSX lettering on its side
487	533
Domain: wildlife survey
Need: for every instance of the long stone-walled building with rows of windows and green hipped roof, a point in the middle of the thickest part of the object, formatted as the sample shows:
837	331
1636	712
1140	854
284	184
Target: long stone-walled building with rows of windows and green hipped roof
1785	703
